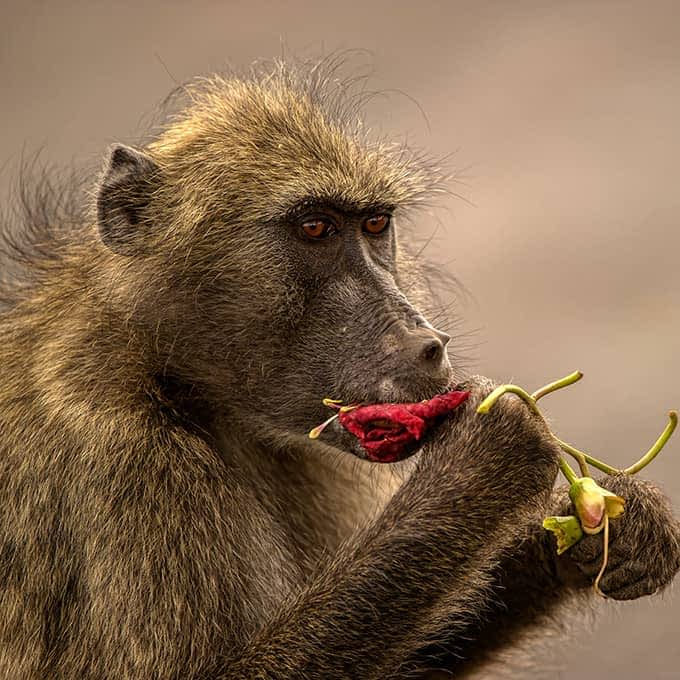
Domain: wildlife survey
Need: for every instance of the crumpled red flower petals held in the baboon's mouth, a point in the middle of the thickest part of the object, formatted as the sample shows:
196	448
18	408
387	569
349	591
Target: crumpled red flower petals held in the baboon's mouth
387	432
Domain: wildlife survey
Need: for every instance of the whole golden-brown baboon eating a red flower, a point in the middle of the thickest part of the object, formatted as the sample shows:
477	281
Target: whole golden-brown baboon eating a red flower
164	514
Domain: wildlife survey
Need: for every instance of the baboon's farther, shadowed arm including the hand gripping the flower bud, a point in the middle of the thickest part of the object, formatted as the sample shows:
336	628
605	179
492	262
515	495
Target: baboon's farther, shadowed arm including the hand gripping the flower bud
531	581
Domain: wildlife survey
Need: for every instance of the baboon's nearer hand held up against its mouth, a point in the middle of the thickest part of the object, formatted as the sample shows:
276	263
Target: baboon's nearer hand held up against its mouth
507	452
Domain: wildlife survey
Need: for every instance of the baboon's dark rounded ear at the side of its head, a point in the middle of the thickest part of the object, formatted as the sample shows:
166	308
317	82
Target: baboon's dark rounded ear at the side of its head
127	182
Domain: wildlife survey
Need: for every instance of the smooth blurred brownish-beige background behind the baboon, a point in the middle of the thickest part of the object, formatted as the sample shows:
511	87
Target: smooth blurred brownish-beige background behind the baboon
565	119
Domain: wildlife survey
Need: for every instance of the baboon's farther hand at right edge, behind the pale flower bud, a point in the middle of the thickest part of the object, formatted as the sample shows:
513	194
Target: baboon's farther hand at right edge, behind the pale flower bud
644	543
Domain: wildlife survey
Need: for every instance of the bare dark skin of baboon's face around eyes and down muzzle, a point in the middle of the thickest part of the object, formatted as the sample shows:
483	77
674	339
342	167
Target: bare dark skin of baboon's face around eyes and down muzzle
345	261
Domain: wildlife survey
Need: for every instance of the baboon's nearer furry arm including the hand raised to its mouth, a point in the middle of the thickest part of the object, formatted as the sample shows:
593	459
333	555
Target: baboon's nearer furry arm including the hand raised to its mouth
423	568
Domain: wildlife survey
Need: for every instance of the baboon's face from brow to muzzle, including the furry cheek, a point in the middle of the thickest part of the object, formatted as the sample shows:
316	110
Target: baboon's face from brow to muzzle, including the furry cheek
328	318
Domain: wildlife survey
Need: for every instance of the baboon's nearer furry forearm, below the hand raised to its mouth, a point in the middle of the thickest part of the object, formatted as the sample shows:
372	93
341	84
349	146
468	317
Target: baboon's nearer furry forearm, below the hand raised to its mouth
381	600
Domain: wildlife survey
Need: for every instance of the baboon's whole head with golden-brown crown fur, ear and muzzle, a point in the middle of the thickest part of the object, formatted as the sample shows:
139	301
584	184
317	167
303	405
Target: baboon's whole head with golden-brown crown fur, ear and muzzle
259	239
